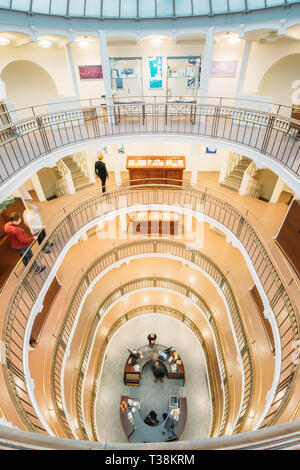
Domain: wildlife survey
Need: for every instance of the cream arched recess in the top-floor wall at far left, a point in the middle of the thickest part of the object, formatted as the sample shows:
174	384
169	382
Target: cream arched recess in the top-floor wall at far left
35	87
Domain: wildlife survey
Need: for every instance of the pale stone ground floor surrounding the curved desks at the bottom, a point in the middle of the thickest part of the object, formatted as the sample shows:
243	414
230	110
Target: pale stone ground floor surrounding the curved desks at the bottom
153	395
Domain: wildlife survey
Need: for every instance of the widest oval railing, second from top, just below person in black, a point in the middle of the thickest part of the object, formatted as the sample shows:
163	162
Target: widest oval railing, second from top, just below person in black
23	295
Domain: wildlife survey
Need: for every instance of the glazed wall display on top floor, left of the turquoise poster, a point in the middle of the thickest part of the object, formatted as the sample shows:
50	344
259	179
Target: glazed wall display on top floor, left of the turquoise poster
126	76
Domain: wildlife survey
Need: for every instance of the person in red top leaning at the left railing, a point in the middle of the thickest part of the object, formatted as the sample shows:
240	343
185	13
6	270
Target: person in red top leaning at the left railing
20	241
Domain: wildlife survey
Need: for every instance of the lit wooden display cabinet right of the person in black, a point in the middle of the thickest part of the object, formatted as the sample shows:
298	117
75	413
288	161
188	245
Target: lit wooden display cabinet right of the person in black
156	170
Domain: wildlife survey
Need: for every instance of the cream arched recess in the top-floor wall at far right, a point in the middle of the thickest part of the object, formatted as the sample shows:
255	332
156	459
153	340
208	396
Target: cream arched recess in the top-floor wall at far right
278	80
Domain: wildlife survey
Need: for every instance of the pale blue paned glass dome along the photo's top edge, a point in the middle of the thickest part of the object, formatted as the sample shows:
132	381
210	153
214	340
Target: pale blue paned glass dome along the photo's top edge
139	9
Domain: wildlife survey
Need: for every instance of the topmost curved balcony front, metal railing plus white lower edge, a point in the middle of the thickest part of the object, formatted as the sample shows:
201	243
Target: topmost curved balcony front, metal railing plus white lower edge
40	139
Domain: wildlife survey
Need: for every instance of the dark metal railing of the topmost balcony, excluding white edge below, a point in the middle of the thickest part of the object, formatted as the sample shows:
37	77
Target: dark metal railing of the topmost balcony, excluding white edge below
272	135
